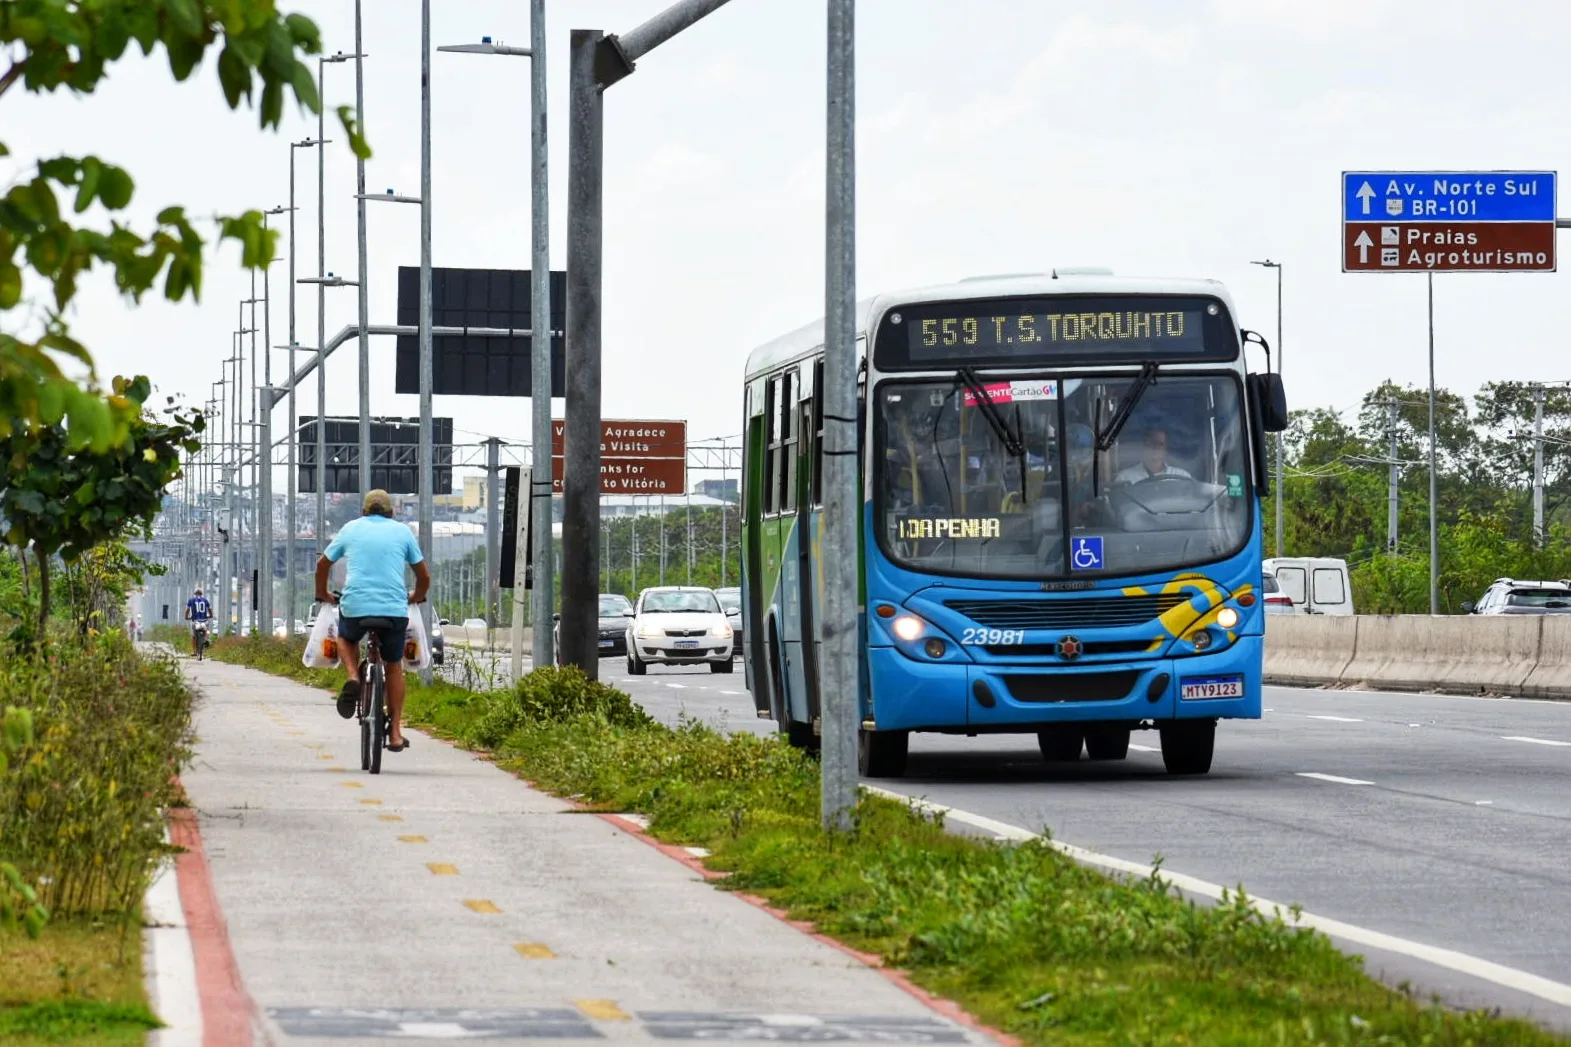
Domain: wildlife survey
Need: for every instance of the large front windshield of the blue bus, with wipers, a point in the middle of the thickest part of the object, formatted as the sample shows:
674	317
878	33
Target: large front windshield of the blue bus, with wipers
1171	491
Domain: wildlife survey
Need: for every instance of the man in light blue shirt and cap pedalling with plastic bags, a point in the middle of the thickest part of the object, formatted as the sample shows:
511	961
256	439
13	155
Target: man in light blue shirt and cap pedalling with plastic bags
378	549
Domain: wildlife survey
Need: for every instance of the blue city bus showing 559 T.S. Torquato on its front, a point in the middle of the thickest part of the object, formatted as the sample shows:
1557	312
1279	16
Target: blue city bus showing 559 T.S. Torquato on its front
1061	518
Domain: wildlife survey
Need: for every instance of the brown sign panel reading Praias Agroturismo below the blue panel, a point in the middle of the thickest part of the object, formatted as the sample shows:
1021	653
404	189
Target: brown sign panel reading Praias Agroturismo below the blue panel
1449	246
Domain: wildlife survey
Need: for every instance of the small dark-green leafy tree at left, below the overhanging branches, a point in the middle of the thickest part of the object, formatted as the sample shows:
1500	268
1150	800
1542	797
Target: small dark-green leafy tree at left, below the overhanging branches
60	499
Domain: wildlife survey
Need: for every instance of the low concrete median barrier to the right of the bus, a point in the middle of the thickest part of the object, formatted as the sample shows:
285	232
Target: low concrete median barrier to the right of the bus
1506	655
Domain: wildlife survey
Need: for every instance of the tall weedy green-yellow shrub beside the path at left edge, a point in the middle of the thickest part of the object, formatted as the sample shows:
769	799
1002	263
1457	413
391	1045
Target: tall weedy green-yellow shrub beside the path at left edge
81	810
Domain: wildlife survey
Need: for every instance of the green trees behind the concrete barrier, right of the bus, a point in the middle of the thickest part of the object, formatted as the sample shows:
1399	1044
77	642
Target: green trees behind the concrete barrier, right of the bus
1338	493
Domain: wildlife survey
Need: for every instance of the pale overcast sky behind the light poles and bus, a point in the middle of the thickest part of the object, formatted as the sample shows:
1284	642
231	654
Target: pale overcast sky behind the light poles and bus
1155	138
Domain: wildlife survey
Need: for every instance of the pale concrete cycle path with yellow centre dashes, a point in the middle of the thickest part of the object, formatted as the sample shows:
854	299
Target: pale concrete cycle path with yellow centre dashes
447	900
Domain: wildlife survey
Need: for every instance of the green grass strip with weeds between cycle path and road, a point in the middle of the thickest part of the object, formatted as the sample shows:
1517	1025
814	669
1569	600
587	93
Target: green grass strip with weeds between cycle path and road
1016	933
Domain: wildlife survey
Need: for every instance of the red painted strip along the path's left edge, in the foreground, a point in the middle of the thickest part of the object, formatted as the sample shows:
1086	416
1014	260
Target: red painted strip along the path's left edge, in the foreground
227	1008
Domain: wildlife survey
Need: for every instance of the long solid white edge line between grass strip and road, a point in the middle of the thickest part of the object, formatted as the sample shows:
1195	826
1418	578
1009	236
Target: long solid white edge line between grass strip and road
1473	966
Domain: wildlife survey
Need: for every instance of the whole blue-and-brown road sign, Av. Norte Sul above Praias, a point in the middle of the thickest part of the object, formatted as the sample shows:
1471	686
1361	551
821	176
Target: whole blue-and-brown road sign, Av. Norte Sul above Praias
1449	221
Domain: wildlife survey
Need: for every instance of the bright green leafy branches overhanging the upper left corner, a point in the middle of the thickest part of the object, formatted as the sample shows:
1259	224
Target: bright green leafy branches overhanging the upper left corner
71	45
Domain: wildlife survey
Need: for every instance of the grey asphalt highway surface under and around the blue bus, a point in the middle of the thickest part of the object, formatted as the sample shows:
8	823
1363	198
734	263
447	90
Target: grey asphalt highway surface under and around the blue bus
1443	821
